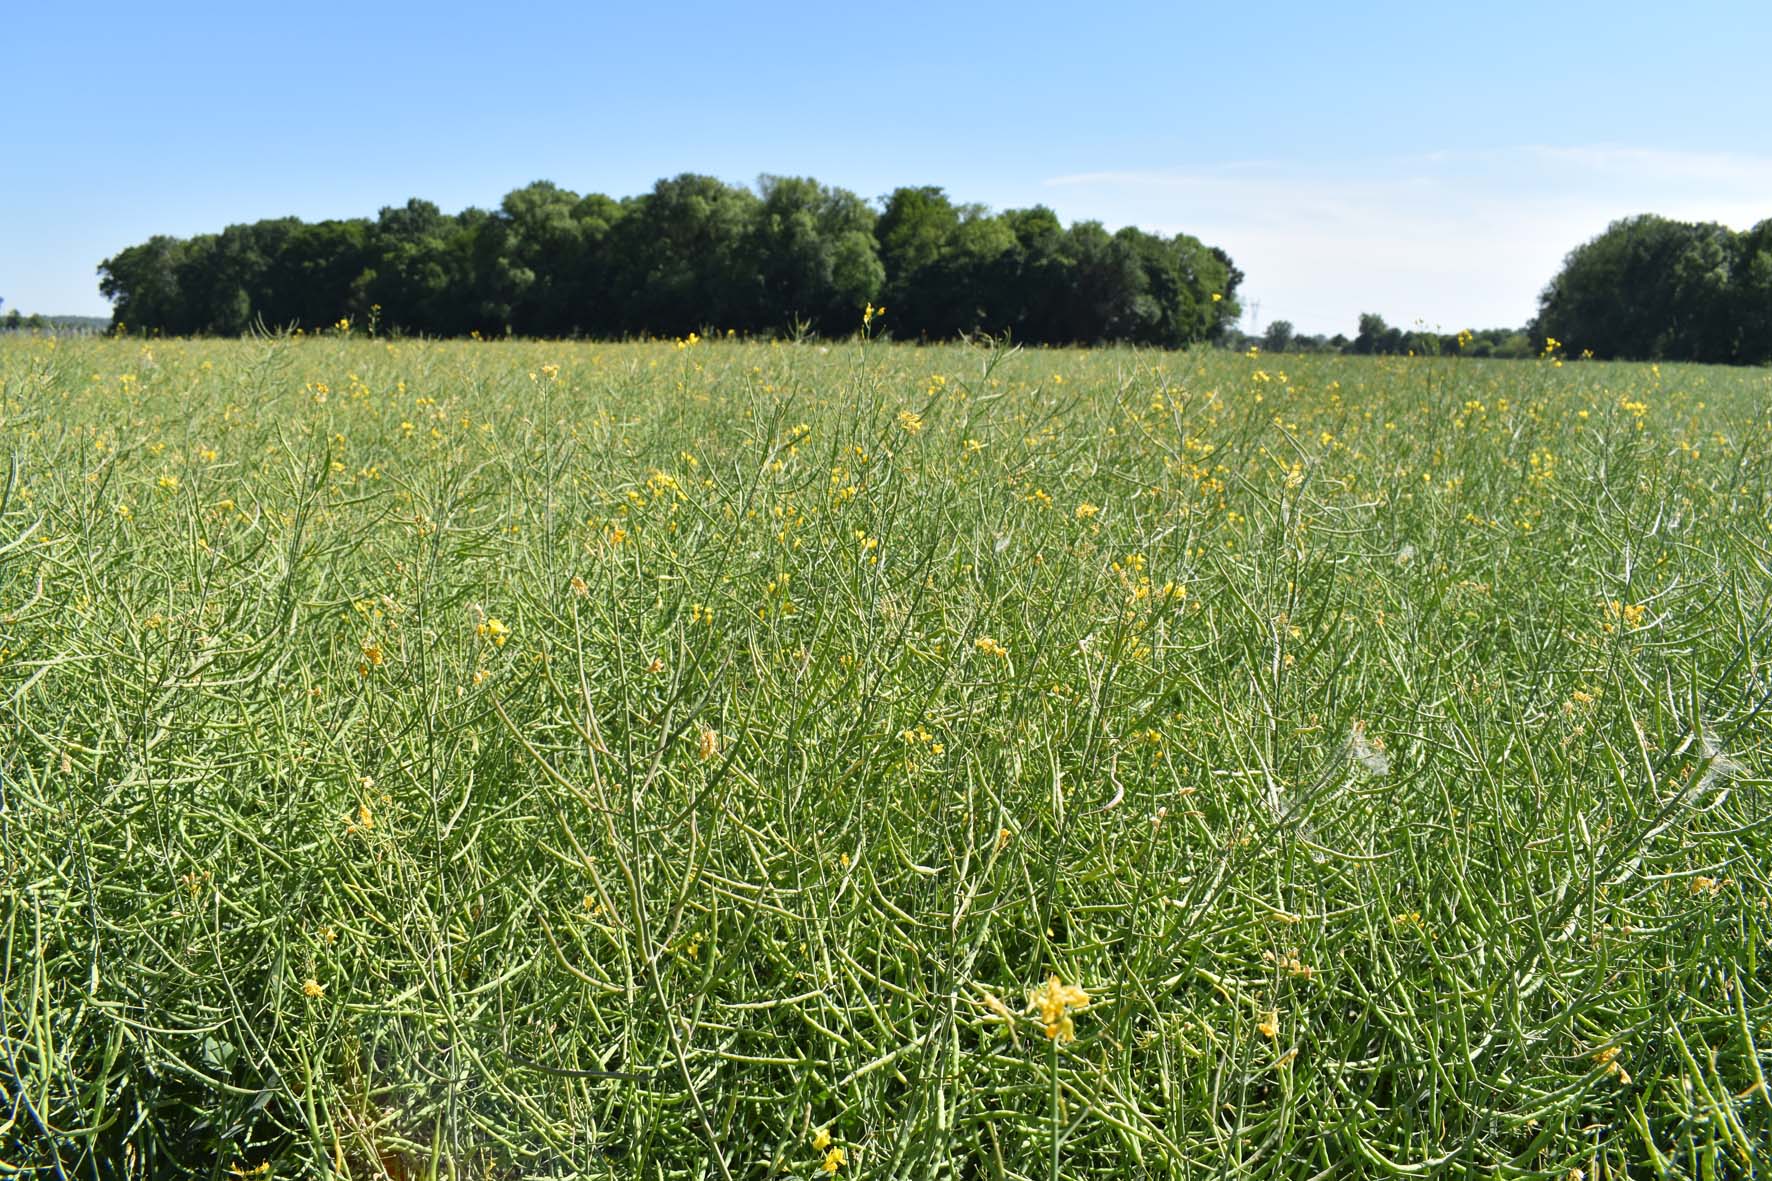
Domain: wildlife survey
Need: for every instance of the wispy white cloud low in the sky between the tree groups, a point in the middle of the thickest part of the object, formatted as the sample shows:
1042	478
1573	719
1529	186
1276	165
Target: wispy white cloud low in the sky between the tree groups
1452	239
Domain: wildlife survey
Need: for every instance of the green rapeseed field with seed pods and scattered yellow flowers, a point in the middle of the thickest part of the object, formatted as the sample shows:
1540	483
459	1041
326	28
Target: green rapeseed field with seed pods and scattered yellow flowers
1365	760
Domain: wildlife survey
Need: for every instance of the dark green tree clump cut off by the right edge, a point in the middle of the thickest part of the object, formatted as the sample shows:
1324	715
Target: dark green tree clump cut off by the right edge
1656	288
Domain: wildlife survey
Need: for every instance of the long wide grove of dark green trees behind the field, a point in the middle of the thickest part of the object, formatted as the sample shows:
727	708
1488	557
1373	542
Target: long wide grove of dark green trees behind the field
781	258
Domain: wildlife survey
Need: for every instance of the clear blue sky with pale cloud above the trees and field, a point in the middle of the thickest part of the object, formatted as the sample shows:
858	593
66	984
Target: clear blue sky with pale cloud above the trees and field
1415	160
